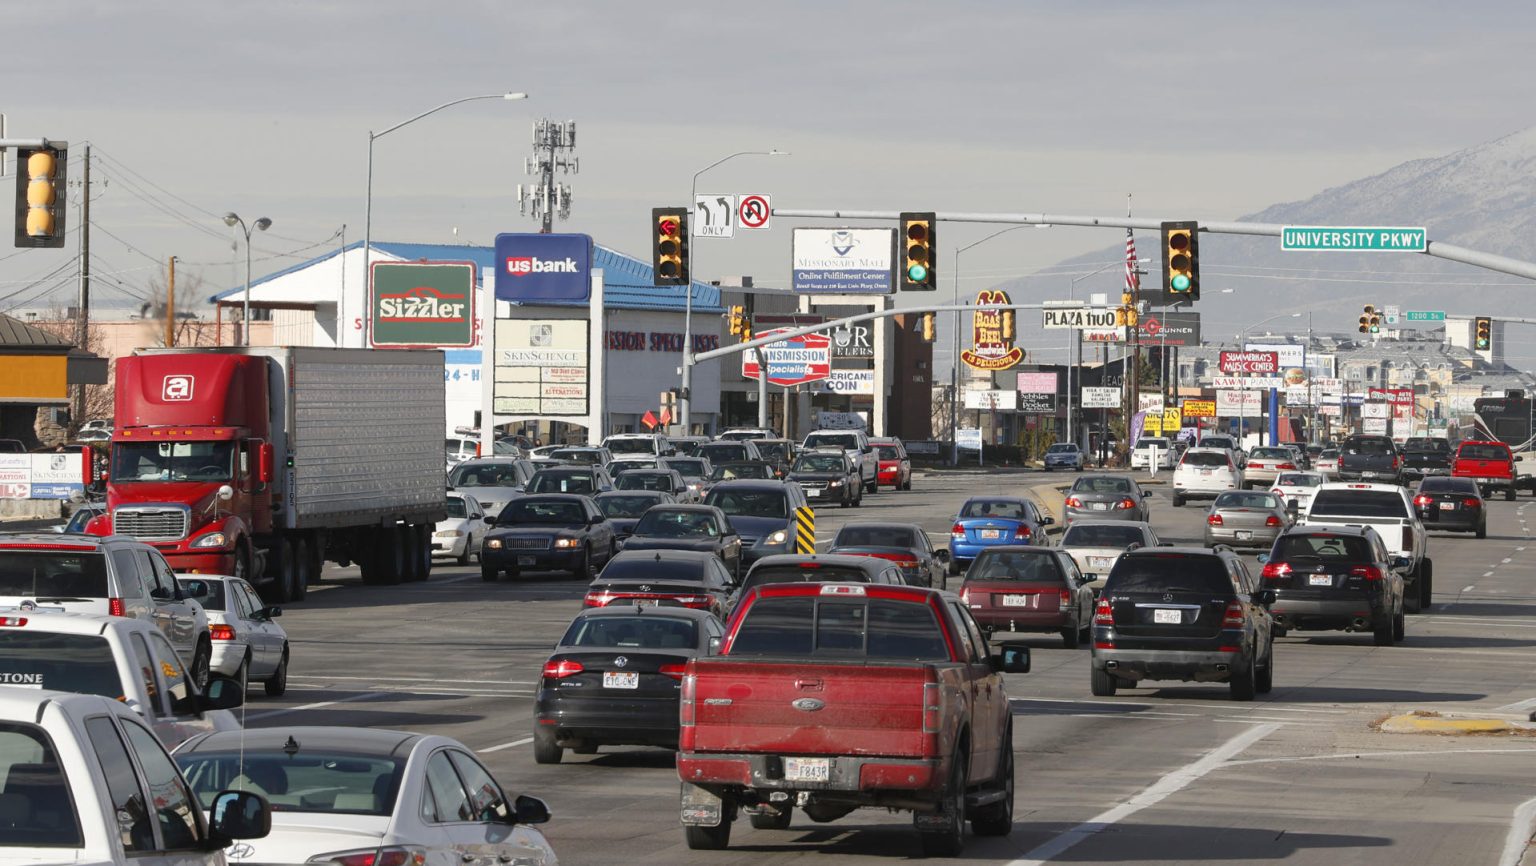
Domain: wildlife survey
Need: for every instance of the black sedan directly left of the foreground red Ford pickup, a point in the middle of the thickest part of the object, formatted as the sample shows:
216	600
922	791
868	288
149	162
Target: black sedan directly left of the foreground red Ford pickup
617	679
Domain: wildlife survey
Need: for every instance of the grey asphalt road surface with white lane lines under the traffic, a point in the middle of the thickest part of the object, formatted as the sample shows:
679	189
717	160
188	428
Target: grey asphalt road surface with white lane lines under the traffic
1174	775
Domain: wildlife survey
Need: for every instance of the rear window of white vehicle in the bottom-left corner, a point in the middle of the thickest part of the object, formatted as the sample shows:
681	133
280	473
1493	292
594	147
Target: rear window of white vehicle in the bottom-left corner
36	785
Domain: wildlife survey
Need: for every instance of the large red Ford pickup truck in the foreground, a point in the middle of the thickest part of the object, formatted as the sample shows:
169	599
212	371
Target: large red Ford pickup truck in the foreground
836	696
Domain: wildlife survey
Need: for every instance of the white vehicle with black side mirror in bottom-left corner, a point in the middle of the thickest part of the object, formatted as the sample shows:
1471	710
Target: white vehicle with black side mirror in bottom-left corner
76	796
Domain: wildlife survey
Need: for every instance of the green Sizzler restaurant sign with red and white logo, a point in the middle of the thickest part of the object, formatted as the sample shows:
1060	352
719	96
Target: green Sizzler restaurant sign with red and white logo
428	303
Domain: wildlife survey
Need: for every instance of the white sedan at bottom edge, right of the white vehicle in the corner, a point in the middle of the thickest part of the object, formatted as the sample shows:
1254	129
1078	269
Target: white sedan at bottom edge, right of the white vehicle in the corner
365	796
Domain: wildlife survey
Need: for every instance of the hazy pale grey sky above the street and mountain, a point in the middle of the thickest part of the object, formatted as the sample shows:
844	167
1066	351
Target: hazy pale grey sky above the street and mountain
1199	110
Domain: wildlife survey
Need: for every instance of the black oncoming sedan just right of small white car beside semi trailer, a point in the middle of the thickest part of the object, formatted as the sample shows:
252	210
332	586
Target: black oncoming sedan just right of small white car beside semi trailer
549	532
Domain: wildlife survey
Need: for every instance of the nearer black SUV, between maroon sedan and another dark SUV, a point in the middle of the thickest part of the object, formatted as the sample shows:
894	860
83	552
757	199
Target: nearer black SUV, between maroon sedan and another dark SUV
1183	613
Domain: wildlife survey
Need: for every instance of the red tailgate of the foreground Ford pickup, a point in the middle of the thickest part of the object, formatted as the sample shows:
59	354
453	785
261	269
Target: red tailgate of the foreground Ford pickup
809	710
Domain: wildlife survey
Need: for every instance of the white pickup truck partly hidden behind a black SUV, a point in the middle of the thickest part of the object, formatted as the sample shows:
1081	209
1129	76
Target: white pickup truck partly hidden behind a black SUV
1389	511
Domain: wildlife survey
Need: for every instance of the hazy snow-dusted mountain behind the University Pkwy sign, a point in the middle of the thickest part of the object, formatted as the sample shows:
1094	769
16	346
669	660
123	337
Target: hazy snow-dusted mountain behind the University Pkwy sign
1483	199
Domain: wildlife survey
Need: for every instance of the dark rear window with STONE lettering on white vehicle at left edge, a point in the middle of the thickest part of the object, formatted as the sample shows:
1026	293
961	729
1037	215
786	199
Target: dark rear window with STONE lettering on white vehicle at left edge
61	663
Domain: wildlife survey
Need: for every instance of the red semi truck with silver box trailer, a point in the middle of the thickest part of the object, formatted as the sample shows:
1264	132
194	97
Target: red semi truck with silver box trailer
270	461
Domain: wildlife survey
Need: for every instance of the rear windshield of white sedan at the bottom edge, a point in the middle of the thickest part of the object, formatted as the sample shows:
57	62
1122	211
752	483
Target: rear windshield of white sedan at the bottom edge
300	782
